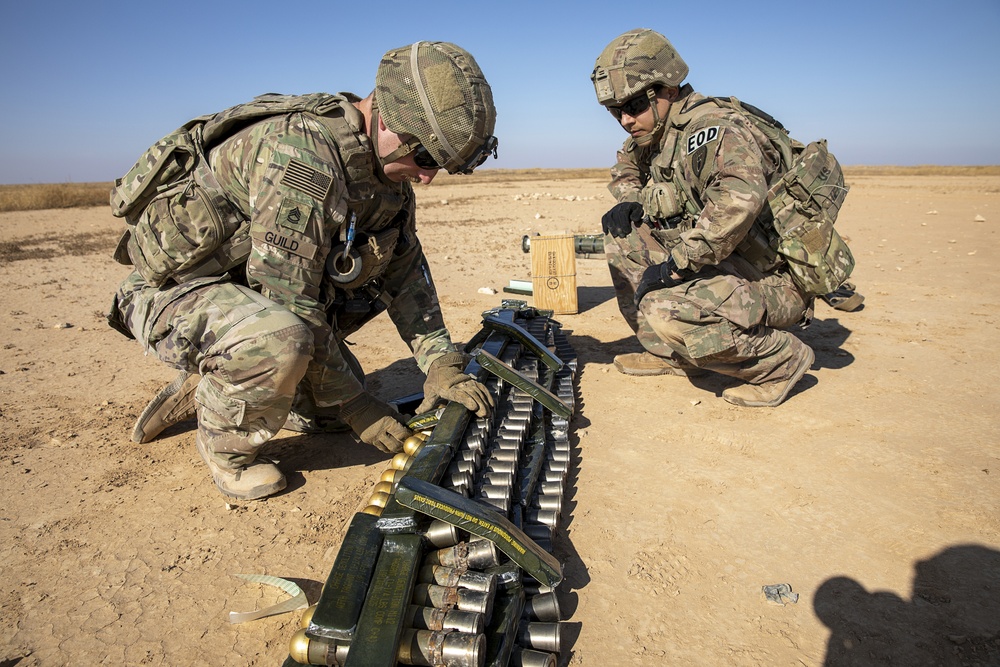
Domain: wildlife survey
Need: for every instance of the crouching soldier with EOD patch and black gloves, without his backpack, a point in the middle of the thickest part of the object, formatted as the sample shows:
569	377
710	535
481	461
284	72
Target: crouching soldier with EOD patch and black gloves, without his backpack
691	181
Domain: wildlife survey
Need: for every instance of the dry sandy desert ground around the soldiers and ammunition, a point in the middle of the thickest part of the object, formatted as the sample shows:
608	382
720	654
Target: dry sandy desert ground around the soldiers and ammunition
873	491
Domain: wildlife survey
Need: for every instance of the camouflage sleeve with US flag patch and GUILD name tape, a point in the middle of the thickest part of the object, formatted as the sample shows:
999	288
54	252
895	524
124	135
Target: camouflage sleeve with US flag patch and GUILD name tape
287	172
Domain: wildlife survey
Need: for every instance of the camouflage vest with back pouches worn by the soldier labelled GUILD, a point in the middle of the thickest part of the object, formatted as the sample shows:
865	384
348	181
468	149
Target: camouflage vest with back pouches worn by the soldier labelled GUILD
181	225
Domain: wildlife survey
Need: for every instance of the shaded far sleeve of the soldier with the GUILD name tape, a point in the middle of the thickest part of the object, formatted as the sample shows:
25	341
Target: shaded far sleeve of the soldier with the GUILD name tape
414	306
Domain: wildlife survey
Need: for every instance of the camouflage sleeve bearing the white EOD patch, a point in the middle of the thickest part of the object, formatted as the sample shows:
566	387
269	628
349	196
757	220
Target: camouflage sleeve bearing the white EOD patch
723	171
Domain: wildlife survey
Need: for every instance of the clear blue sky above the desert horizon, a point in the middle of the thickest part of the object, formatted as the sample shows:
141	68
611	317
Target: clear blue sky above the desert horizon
85	87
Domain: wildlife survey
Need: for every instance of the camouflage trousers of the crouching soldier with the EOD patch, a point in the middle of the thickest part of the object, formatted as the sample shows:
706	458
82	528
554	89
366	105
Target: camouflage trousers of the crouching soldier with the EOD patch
723	322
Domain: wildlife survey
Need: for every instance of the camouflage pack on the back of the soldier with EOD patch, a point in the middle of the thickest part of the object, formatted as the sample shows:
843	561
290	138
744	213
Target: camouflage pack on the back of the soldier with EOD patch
804	205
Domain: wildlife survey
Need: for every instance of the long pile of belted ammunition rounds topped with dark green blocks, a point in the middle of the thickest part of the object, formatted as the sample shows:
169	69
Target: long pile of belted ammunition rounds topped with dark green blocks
450	563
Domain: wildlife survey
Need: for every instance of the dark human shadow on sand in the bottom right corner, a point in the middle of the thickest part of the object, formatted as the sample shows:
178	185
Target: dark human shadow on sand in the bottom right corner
951	618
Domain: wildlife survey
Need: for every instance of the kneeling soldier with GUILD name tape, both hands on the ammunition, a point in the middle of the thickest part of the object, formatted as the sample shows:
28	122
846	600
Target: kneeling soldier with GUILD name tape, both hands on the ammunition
309	212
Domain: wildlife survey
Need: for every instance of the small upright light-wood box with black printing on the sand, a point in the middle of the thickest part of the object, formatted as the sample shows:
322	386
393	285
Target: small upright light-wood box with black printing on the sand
553	273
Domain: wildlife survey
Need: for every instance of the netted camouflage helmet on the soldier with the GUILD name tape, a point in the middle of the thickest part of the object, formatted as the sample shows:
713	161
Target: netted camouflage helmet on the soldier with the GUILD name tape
436	92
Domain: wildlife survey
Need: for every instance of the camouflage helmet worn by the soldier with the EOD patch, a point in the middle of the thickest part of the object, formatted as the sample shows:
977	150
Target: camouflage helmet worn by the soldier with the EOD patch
633	62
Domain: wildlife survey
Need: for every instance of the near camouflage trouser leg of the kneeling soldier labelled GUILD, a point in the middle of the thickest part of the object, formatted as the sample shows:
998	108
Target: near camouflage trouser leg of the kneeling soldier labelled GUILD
251	354
